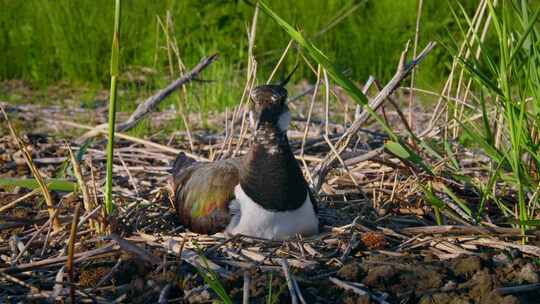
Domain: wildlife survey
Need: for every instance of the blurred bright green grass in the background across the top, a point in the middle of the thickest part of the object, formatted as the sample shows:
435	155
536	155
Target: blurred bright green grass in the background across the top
47	41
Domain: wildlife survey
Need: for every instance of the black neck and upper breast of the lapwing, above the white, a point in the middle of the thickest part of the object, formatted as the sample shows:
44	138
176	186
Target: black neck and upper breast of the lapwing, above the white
271	176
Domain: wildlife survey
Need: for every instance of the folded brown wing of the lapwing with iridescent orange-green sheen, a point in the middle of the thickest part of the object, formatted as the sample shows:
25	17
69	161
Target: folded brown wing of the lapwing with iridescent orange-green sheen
201	194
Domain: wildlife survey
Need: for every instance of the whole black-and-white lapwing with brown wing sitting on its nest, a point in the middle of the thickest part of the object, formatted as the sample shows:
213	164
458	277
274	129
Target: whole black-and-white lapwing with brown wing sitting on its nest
261	194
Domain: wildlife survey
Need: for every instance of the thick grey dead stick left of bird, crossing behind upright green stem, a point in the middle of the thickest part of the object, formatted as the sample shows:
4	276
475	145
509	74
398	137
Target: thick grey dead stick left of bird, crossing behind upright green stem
153	101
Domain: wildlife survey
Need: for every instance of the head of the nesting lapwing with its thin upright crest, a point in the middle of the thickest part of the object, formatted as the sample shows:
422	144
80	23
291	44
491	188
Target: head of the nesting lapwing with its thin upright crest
269	105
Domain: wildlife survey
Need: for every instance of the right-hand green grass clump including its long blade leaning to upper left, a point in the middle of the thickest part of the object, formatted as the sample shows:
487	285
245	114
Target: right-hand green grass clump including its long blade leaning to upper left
502	72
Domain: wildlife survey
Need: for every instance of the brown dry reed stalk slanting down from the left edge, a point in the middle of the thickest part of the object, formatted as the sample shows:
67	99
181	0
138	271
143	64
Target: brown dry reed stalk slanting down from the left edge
35	172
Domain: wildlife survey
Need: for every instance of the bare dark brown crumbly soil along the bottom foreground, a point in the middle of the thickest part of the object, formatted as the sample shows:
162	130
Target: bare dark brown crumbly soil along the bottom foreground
411	279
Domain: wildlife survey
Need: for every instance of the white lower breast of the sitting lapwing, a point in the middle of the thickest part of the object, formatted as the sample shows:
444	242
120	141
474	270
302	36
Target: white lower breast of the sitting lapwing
253	220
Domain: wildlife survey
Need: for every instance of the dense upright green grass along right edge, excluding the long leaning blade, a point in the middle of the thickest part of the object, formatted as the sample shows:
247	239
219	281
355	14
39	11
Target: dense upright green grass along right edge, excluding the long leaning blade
508	86
